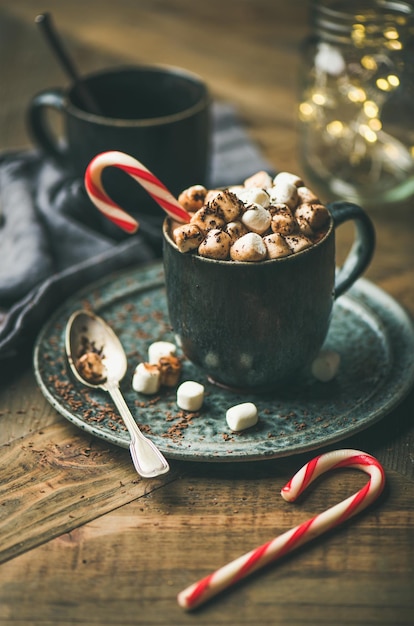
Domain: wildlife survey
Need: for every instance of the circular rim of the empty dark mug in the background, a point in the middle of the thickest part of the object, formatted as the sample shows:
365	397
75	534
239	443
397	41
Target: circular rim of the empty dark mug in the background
172	70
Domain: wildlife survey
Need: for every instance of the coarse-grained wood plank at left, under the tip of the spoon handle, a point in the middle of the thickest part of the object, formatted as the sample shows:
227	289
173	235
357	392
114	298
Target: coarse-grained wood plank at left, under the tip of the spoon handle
58	478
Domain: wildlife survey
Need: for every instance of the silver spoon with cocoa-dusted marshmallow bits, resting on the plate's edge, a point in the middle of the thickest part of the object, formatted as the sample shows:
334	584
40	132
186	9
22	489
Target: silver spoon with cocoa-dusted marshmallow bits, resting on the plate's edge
98	360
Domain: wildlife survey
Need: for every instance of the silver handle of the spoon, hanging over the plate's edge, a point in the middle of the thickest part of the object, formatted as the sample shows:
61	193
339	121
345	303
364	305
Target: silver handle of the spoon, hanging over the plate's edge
148	460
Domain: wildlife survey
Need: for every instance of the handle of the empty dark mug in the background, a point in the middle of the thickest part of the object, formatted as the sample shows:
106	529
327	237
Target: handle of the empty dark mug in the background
38	124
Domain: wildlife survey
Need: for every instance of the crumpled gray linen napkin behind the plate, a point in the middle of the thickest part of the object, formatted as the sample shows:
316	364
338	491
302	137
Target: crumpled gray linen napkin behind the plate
51	238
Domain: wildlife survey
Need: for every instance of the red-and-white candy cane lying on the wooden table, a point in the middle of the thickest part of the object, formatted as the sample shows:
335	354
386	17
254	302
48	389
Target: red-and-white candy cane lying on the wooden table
231	573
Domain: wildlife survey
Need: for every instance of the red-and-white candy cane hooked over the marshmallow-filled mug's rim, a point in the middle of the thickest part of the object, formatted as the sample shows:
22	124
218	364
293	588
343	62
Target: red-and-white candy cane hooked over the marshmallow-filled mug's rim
156	189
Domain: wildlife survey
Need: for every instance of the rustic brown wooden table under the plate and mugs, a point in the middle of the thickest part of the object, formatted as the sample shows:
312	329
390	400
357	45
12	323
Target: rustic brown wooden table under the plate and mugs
84	540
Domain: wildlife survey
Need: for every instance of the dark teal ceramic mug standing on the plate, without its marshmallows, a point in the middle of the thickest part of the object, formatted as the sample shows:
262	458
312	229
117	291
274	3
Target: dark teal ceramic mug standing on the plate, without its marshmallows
251	326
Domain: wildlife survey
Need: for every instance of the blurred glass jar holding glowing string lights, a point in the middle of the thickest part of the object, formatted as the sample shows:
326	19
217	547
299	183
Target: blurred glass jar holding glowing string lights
356	110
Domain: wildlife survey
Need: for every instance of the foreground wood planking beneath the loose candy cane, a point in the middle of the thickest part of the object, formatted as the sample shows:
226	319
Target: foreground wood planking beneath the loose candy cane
134	560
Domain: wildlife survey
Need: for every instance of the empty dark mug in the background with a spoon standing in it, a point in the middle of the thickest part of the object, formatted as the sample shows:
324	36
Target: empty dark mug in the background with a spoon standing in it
158	114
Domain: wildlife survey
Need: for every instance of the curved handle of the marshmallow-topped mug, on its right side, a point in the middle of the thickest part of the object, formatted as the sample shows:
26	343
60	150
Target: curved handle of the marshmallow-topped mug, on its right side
362	249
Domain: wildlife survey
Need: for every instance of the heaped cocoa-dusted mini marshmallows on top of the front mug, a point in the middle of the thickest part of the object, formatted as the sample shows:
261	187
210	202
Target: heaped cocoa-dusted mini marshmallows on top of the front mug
262	219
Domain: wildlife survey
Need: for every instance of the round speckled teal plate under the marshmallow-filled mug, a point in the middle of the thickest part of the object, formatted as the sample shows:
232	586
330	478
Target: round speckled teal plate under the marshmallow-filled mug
373	335
